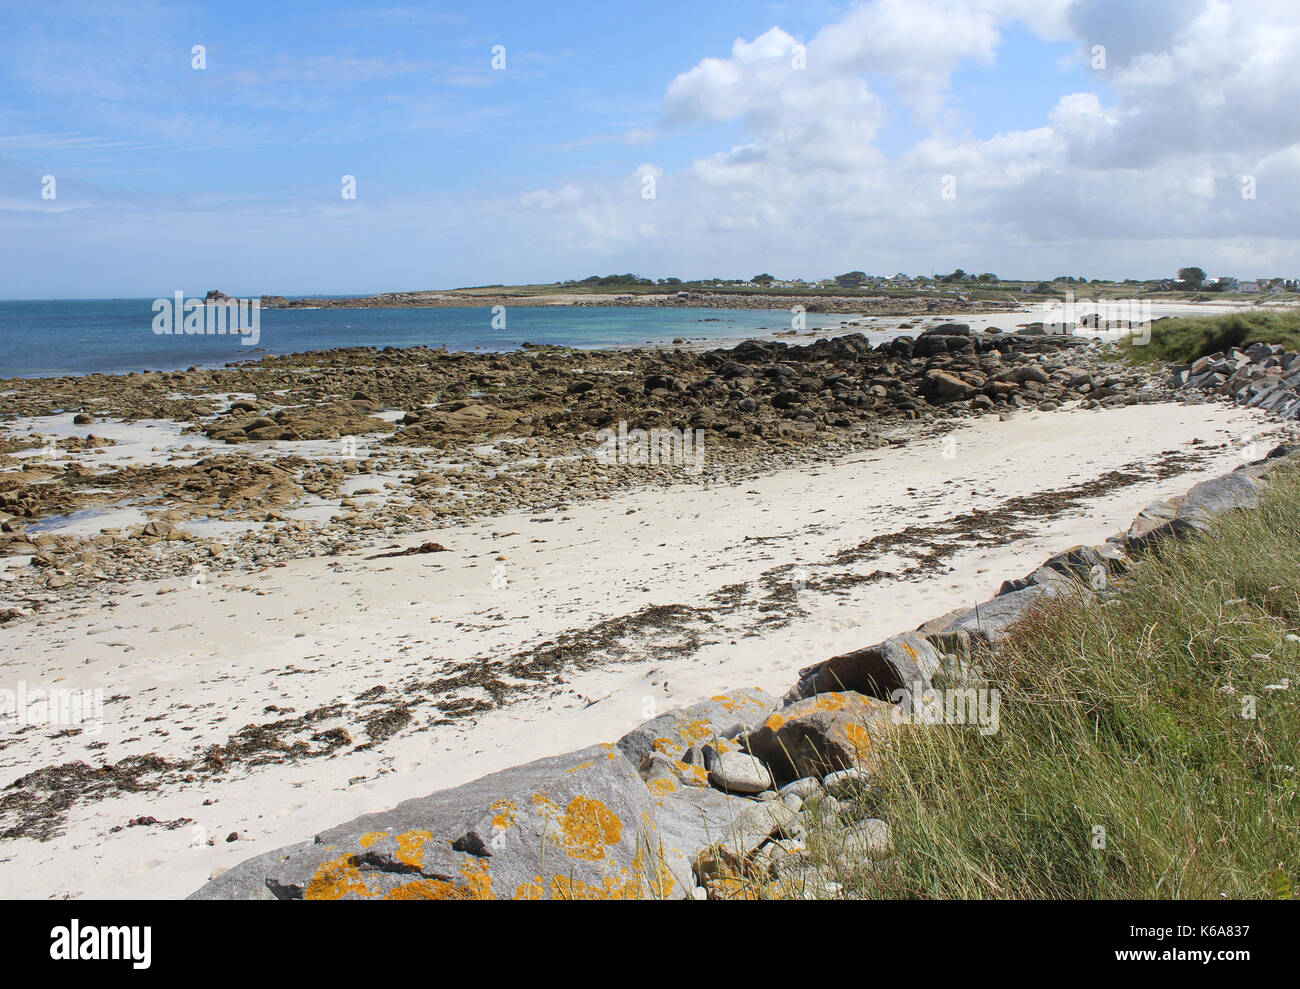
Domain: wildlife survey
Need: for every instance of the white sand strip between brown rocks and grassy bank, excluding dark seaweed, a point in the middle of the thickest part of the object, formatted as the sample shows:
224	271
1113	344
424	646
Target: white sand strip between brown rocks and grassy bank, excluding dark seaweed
184	665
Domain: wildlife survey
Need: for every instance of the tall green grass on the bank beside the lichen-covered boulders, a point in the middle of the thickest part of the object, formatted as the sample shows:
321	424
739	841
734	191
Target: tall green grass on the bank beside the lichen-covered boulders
1125	717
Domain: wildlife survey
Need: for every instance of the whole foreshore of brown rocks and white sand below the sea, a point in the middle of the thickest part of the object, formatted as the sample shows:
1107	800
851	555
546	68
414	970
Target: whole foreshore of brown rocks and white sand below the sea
287	634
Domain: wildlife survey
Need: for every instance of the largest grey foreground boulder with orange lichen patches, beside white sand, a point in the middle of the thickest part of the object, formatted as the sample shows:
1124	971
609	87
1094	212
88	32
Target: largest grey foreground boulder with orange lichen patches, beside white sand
571	827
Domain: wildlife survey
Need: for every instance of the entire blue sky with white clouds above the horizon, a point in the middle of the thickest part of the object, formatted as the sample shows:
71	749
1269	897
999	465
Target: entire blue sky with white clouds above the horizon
153	148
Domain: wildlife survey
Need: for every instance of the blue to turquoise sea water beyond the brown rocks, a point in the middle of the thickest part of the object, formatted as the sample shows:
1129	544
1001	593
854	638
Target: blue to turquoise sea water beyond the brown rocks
115	336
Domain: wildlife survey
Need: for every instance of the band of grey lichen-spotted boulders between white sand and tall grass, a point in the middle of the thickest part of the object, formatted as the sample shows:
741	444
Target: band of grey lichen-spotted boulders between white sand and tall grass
718	800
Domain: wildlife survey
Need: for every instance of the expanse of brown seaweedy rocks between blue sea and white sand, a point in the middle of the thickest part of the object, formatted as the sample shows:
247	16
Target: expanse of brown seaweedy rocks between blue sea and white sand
367	444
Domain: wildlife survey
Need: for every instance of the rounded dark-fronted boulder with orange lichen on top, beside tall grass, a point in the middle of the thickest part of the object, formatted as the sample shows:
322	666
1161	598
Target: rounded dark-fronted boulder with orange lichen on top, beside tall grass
820	735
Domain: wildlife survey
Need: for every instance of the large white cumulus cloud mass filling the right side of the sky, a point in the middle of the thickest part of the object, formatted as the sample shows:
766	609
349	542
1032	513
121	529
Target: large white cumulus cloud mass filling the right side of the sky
1194	97
